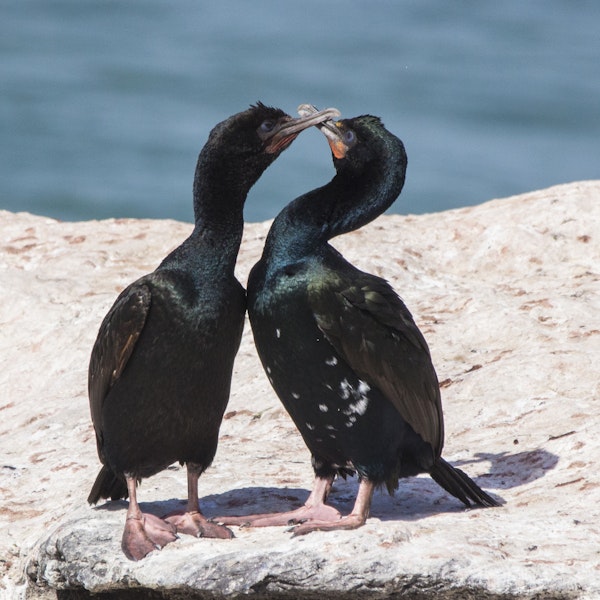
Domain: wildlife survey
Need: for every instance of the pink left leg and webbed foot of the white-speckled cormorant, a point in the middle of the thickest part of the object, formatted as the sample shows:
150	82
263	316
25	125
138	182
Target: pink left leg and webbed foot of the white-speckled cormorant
314	508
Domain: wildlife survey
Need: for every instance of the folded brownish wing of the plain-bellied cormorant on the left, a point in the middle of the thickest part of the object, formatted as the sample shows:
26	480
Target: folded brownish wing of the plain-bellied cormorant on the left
114	345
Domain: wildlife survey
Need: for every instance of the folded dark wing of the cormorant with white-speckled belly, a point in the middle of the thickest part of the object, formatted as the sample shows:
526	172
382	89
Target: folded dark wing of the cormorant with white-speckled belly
371	328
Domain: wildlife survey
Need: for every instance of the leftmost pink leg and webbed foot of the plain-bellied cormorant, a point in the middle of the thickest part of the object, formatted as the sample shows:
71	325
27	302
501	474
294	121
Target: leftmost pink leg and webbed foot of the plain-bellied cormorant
143	532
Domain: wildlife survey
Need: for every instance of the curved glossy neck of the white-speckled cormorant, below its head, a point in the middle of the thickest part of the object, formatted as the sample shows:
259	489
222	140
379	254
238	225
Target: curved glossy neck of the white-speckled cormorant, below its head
346	203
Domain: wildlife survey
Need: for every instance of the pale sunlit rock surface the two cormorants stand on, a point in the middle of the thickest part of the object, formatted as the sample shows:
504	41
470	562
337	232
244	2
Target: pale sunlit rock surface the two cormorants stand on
508	297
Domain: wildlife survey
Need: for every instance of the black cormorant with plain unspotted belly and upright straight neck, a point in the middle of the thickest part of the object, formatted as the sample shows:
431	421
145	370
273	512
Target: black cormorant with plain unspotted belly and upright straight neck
160	370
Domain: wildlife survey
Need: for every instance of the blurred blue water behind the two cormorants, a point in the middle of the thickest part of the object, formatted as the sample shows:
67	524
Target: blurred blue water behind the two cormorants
104	105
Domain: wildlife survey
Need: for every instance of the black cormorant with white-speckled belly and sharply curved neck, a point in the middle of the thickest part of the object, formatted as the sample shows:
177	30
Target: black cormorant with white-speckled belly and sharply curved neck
339	346
